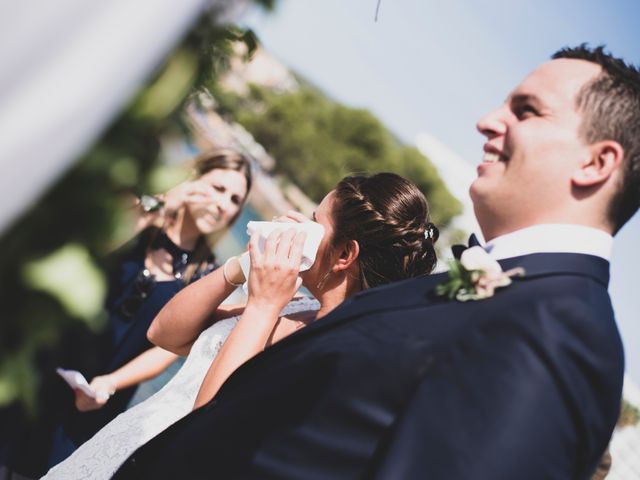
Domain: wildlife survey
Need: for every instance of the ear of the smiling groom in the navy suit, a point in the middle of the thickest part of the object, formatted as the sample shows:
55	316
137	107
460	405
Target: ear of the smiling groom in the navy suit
605	158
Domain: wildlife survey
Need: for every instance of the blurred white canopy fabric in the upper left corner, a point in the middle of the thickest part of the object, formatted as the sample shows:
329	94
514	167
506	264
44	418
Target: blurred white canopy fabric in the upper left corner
67	67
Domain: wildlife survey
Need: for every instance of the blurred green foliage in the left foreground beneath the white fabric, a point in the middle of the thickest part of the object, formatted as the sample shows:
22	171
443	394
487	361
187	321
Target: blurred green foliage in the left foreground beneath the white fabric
82	217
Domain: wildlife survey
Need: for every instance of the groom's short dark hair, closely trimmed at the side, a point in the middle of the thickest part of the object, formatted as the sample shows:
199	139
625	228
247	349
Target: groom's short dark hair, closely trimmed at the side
611	107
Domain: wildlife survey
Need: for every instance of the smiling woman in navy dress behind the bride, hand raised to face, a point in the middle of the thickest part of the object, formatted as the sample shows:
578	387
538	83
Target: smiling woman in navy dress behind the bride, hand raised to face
170	252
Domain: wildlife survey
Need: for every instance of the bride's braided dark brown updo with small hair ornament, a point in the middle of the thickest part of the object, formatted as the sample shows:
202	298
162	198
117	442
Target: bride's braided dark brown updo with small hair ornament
389	218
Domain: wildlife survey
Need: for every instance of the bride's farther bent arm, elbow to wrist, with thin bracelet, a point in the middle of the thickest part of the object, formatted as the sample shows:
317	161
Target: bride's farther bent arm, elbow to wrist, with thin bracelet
194	308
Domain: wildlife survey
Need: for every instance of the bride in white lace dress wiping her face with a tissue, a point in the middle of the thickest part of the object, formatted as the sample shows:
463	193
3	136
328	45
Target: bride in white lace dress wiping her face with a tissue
377	231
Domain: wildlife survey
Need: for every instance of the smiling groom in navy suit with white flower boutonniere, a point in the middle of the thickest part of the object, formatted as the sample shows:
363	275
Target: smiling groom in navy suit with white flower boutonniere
400	383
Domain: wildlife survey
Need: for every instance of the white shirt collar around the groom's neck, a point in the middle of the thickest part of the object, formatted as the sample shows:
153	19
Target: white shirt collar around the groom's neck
552	238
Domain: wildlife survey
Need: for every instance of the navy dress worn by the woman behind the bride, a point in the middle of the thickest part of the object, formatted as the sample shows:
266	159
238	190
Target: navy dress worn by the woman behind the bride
133	301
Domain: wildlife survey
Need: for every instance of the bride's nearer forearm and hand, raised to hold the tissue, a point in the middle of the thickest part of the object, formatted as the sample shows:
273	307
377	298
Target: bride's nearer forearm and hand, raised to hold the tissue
272	283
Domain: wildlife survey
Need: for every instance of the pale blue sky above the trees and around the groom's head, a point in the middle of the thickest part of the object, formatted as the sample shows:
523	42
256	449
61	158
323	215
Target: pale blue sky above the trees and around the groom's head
437	67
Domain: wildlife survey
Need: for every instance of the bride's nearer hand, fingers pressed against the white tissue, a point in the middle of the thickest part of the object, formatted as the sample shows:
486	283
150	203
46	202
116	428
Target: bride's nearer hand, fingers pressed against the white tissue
273	279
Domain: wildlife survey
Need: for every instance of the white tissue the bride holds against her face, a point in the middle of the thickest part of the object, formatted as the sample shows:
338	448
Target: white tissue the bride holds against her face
314	231
